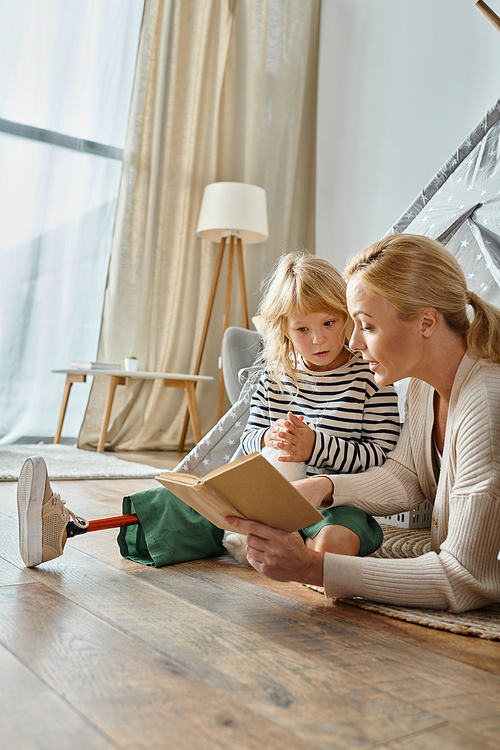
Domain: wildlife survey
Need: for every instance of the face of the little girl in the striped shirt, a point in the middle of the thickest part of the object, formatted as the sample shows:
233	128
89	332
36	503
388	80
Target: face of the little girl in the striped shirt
319	339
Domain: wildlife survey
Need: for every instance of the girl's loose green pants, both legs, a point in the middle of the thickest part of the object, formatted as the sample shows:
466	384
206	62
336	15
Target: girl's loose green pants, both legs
169	531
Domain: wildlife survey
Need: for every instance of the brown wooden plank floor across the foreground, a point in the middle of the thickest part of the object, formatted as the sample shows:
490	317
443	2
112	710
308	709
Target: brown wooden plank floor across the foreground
99	652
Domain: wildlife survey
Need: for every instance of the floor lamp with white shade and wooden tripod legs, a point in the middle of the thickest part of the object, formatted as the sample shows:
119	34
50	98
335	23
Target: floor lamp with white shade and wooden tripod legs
231	213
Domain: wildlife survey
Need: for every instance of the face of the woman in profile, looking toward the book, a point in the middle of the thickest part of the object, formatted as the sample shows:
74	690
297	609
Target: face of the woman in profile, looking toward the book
392	347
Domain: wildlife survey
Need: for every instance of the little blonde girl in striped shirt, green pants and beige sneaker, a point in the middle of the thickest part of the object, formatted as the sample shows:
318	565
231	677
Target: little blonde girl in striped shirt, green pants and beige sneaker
316	401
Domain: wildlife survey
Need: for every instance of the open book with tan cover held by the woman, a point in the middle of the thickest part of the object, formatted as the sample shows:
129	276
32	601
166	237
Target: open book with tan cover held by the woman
249	487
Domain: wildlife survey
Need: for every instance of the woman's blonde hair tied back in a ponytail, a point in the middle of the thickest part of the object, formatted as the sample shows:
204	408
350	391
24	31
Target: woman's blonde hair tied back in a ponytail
414	273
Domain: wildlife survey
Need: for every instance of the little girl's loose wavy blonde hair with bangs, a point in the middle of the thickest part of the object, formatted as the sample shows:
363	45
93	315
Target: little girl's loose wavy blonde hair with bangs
299	283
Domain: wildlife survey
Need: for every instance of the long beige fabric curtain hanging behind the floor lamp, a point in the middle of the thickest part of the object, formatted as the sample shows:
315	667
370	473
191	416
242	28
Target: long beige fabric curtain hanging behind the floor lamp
224	90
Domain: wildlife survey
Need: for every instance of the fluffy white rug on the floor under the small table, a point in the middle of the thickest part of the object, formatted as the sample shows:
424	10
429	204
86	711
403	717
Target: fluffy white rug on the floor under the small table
69	462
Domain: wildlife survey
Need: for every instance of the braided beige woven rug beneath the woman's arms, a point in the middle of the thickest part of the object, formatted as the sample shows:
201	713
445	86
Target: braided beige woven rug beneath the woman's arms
400	543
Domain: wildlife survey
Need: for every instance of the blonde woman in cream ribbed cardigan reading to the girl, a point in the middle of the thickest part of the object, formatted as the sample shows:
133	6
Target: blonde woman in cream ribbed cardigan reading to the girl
408	298
